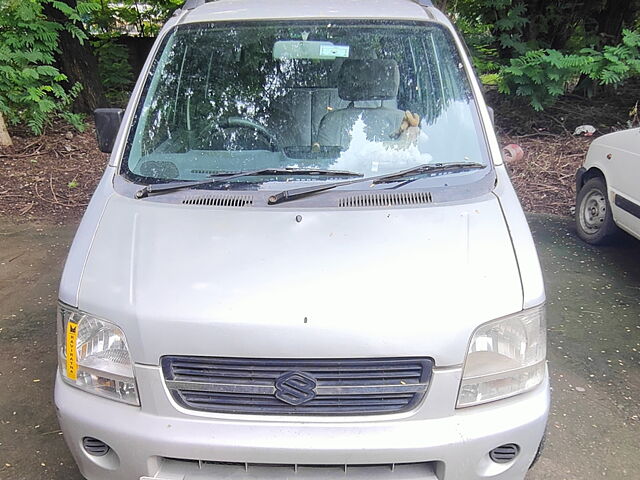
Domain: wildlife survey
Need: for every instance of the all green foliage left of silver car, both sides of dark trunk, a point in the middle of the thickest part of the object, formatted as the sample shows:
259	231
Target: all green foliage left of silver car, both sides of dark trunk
33	89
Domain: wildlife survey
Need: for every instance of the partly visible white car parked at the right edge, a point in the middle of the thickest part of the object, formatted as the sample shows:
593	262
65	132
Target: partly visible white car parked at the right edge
608	188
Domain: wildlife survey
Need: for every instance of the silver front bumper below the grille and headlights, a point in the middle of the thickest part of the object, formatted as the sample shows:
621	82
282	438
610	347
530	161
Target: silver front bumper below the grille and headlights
435	442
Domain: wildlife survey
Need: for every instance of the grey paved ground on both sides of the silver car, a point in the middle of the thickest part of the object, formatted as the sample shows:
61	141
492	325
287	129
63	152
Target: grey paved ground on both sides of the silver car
594	337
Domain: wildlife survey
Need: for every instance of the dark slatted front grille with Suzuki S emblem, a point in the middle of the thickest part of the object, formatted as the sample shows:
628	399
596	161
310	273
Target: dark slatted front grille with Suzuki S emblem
297	387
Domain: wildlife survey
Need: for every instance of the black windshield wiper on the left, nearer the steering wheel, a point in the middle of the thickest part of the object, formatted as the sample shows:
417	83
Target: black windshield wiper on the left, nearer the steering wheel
160	188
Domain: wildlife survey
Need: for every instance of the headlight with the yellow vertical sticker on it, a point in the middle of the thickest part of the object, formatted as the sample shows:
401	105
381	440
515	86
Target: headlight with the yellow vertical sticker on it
93	355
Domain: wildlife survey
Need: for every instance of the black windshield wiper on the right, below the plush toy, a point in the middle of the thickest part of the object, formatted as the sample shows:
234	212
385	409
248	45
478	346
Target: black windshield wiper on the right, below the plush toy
296	193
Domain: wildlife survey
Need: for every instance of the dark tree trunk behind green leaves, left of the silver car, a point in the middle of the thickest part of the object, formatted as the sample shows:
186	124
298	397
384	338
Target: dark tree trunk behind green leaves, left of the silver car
78	63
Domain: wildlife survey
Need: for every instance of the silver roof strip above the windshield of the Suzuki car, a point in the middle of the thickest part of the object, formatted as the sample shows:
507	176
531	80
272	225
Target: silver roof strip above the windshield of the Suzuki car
230	10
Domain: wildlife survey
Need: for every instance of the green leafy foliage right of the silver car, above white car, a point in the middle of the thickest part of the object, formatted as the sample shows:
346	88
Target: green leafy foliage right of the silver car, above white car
540	49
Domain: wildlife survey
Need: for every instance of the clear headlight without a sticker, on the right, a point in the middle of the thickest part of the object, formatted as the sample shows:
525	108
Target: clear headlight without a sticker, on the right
505	357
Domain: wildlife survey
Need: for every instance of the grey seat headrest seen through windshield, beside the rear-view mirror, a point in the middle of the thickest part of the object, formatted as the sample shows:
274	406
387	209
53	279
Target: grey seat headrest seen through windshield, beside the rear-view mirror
368	80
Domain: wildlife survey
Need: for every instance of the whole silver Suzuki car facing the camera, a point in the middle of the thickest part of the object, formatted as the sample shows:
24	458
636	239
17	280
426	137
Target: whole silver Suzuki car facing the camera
305	259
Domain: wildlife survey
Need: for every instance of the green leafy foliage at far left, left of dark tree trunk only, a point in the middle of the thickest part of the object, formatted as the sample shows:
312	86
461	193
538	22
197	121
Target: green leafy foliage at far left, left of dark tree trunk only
32	89
